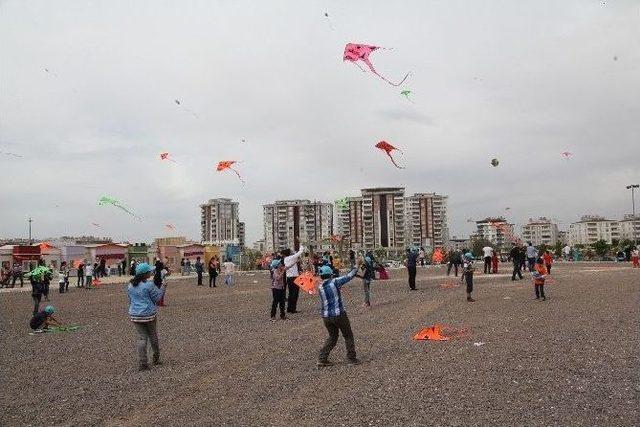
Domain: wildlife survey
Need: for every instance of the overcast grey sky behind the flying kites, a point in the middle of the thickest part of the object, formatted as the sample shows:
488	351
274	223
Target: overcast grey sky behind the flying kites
88	90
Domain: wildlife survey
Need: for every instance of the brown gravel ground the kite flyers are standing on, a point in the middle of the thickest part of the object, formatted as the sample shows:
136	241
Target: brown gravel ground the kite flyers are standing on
572	360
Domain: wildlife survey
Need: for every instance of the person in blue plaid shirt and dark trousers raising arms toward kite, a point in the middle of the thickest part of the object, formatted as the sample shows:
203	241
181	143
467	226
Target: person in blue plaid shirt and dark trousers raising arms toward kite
334	315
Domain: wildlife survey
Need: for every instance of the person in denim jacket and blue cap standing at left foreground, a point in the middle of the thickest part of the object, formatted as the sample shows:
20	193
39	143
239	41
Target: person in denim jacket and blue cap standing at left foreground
144	296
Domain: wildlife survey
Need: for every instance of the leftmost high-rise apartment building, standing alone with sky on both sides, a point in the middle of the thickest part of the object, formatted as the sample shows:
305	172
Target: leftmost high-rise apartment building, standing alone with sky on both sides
219	222
